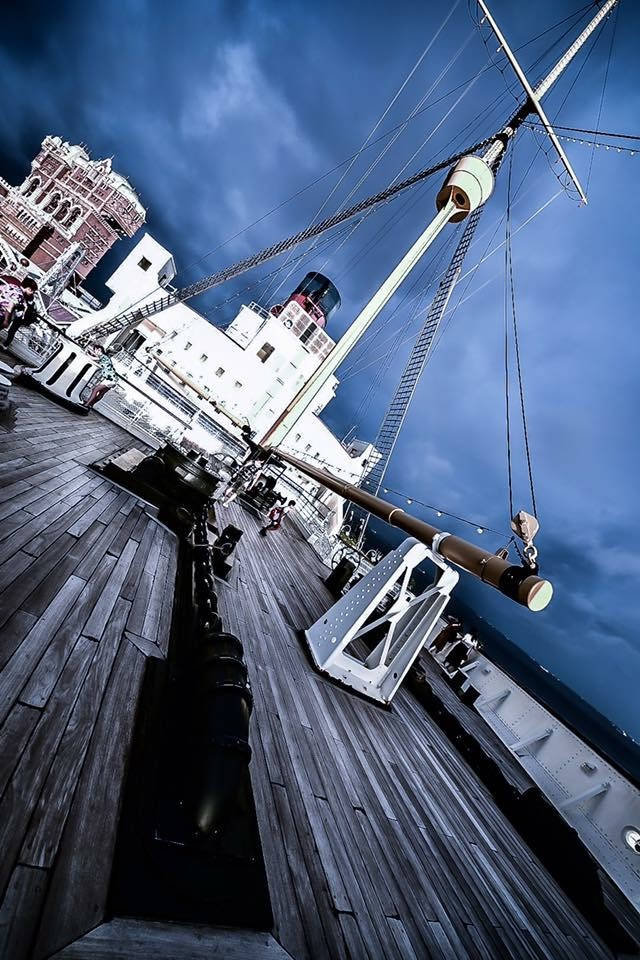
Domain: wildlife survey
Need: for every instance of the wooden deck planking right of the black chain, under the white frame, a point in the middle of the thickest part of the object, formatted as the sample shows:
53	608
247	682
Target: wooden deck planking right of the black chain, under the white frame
379	840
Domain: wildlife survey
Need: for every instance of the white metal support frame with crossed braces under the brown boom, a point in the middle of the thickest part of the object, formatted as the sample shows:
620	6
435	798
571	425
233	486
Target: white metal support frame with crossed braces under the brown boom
412	622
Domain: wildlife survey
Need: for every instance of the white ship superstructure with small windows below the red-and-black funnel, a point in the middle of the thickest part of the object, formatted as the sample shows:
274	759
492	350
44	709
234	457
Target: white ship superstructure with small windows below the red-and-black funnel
250	371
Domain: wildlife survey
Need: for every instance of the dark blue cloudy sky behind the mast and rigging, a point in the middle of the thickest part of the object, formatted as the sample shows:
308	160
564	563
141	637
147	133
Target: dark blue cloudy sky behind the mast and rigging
221	112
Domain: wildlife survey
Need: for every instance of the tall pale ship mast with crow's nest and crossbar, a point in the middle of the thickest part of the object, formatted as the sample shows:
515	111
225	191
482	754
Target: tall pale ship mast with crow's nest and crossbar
466	189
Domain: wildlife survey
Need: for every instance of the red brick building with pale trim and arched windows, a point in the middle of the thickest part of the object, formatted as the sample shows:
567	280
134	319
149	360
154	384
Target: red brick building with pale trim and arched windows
66	199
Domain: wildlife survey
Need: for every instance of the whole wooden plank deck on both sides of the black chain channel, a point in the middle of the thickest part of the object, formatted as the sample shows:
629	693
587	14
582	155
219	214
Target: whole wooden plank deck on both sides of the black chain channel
378	838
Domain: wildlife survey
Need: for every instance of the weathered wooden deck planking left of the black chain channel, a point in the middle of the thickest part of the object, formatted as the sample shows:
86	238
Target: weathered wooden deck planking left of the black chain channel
86	584
